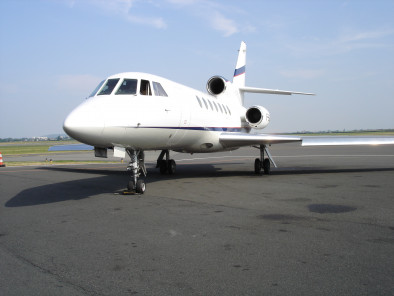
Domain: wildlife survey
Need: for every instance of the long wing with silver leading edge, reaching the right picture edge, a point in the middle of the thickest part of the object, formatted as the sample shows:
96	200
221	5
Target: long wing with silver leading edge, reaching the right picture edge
245	139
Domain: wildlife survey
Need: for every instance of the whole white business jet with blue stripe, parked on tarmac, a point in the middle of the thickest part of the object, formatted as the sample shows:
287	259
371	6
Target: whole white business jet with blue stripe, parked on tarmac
134	112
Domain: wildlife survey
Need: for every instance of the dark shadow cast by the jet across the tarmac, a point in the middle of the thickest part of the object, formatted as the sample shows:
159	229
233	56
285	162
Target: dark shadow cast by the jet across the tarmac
114	181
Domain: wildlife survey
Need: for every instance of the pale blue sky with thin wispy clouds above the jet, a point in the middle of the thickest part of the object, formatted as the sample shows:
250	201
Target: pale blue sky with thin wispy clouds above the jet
54	52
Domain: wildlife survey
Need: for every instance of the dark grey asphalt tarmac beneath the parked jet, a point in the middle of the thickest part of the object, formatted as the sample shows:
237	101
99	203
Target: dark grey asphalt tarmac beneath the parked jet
321	224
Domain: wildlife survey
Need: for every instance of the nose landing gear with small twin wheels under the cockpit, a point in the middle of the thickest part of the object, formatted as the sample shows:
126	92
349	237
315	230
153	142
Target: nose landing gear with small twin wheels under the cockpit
137	168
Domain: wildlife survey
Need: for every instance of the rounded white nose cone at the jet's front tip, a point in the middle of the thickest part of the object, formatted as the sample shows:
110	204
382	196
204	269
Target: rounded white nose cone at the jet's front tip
84	124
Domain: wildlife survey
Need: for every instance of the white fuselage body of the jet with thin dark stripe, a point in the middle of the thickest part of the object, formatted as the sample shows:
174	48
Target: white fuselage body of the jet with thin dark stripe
185	120
